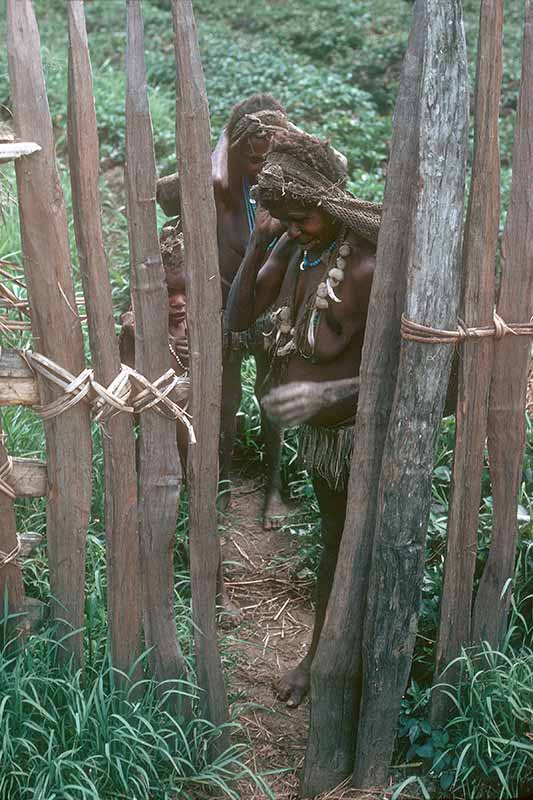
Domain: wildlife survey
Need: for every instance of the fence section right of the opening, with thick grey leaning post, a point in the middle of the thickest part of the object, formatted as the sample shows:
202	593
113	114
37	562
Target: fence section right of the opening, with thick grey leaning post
365	652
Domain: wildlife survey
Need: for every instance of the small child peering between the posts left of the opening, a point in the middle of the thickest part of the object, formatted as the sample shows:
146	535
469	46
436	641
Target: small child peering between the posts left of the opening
171	241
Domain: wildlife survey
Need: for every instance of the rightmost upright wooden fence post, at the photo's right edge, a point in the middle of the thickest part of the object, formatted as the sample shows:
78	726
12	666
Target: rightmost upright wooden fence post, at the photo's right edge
506	424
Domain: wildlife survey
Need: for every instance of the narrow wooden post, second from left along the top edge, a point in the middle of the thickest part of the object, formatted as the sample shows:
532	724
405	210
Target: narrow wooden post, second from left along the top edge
123	564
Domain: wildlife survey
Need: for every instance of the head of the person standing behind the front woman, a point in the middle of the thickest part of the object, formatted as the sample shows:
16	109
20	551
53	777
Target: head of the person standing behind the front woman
250	129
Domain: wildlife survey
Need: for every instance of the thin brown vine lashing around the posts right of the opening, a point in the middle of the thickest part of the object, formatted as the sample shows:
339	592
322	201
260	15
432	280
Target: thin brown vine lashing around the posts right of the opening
415	332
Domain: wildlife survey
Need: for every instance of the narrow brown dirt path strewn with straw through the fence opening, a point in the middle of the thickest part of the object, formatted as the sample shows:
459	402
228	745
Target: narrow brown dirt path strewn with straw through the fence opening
271	640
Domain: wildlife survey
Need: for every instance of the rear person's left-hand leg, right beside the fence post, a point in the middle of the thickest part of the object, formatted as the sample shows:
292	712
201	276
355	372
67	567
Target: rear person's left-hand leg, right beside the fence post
231	400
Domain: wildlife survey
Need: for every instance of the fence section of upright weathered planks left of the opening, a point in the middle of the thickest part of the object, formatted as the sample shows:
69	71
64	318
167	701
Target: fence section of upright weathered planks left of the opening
140	509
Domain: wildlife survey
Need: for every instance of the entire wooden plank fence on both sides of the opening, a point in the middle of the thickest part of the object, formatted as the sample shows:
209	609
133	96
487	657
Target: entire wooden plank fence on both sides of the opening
365	653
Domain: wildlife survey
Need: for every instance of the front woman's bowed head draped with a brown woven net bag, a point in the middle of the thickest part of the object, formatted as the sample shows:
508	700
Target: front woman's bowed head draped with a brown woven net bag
303	183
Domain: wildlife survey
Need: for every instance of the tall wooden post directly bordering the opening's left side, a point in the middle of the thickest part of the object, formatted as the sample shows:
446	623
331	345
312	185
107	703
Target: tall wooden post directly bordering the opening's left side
205	347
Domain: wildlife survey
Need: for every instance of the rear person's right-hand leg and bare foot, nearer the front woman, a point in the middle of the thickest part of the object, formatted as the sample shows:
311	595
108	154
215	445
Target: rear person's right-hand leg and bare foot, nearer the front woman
274	509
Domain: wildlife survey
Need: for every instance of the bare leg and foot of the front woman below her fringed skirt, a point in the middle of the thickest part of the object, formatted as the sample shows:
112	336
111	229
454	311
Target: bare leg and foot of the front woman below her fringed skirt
332	504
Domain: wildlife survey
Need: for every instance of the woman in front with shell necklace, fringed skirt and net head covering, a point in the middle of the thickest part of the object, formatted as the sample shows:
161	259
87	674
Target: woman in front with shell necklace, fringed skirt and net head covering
318	277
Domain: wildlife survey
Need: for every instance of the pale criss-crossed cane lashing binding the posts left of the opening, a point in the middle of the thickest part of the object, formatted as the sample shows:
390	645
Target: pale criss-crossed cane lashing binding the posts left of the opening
129	392
